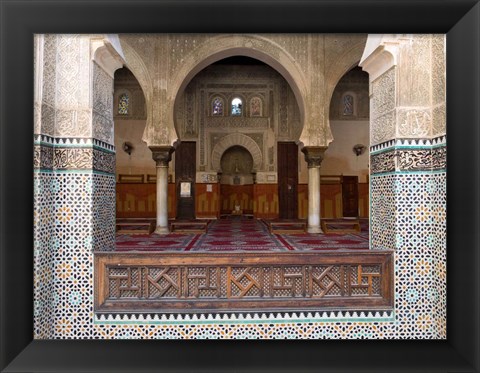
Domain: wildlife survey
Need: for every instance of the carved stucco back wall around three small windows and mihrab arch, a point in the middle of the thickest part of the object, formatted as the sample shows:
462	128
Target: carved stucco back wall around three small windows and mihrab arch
279	120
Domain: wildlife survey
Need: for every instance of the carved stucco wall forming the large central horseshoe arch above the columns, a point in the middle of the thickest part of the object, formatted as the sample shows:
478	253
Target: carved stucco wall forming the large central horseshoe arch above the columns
311	64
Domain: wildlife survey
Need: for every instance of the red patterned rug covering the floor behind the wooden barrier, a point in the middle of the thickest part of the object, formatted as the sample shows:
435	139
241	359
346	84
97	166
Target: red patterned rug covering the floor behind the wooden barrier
240	234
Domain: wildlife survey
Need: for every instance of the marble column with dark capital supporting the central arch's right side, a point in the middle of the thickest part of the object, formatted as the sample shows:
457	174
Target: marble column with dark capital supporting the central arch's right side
314	157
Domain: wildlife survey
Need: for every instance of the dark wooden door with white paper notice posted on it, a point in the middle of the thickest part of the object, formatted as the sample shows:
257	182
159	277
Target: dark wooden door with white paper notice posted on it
185	166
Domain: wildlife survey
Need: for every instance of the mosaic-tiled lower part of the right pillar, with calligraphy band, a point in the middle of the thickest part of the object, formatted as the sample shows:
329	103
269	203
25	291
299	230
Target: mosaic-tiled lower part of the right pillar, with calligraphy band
408	215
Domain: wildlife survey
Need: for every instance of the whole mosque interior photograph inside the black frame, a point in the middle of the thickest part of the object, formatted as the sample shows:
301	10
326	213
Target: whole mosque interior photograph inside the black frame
238	186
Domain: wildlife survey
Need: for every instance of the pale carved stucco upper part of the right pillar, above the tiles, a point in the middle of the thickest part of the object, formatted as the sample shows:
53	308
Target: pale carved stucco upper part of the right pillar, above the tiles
409	87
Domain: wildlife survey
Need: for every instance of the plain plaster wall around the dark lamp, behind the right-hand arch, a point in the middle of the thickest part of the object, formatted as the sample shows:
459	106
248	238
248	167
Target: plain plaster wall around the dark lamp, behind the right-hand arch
339	157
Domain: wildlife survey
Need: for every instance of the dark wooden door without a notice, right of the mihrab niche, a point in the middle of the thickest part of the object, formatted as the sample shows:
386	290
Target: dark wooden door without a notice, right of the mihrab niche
287	164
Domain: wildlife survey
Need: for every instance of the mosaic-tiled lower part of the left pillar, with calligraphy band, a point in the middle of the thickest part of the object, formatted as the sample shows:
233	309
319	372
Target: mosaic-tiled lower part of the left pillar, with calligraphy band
74	213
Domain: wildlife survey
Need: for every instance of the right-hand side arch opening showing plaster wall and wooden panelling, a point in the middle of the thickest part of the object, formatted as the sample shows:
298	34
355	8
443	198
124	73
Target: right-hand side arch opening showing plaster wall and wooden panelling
345	167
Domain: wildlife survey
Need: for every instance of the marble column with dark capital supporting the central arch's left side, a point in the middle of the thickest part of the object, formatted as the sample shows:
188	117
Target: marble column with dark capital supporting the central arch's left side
162	155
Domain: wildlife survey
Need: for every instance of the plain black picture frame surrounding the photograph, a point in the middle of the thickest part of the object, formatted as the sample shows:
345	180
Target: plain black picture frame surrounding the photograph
459	19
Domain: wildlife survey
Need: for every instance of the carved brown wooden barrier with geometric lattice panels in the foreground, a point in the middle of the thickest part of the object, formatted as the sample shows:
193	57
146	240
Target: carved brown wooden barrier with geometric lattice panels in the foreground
174	282
